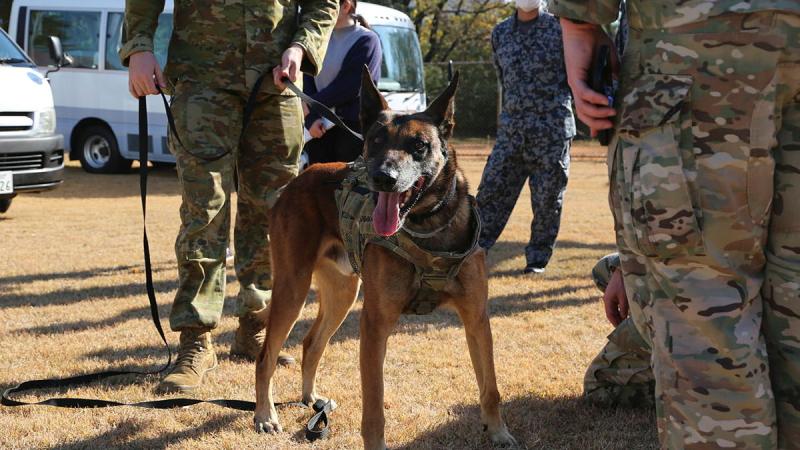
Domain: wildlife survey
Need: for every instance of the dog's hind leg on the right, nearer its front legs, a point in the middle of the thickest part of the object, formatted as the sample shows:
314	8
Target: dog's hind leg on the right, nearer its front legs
337	293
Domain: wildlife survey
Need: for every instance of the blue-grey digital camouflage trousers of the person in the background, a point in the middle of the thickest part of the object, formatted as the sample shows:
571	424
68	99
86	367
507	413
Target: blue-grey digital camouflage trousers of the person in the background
518	156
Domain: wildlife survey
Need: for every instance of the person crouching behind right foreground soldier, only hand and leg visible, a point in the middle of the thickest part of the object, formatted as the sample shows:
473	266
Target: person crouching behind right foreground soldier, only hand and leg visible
620	375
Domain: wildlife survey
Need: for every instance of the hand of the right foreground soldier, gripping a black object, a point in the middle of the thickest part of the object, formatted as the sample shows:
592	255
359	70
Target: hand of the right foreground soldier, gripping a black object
580	41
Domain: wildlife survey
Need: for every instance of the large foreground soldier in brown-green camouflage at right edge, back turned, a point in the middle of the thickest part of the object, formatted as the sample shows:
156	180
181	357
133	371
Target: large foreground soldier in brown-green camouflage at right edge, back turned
705	191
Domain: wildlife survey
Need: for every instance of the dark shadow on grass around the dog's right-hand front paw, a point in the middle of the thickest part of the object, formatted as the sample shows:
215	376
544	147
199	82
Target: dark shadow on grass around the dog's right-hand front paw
551	423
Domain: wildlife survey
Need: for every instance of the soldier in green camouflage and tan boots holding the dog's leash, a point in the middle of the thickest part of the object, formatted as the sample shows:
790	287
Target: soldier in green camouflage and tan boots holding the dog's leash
217	51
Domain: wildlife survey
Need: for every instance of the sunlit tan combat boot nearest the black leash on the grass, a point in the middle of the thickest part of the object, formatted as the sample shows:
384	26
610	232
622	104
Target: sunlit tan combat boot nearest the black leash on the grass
195	357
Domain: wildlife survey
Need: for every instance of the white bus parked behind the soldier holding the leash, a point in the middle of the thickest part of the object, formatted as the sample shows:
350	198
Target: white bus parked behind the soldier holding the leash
97	115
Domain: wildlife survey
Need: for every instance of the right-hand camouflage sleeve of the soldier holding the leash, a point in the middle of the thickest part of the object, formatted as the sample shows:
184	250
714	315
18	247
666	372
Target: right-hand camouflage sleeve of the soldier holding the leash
317	18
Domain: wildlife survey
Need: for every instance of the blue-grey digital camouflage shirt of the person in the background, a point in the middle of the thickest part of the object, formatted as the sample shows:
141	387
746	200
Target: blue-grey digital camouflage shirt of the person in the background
529	59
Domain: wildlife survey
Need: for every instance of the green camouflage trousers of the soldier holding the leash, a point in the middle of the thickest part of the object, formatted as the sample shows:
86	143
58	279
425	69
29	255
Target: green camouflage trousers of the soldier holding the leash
209	122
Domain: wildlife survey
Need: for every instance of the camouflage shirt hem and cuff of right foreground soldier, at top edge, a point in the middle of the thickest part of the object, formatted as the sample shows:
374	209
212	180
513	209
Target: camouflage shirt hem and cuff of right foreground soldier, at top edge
654	14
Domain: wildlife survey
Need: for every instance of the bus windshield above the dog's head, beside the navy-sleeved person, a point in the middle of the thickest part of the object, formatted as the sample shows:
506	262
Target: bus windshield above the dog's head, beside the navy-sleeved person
401	69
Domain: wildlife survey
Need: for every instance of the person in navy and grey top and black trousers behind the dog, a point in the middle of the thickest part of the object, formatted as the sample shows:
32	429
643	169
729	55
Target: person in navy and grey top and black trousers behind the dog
353	45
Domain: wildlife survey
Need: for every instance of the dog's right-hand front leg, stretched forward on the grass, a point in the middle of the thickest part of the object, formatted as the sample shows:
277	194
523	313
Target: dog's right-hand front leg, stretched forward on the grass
473	310
